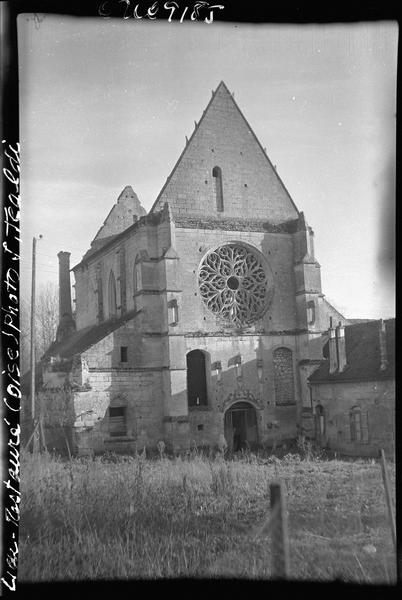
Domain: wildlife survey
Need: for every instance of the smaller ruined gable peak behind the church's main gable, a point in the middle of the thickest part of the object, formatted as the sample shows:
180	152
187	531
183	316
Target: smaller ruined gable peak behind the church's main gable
121	215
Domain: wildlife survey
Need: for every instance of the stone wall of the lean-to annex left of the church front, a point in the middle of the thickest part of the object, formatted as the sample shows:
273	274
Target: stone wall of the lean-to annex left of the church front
137	384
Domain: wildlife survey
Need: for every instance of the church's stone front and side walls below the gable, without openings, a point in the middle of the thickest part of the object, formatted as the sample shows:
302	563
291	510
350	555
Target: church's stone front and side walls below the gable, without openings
157	348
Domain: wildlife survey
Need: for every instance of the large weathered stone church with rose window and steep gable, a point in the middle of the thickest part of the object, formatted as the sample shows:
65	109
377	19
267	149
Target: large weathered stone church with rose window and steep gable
199	323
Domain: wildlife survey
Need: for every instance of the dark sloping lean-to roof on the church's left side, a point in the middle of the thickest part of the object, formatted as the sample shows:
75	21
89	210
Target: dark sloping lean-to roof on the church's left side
82	339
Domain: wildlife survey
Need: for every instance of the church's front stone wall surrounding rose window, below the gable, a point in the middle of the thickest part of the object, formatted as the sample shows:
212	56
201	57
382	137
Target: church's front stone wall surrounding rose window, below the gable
198	328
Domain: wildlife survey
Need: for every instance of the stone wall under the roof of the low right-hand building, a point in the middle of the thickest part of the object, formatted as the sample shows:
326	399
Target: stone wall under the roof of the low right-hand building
376	398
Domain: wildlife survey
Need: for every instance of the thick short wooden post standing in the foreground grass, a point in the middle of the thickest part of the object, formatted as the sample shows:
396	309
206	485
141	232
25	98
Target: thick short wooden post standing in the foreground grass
279	532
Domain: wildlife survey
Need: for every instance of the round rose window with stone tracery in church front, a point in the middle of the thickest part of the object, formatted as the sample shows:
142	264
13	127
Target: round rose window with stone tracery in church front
233	284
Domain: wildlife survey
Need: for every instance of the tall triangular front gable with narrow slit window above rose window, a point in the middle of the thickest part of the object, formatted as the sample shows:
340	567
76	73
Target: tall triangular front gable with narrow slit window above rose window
224	171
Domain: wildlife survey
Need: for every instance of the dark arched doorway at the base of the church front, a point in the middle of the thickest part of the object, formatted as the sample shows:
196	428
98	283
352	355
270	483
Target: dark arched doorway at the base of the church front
241	426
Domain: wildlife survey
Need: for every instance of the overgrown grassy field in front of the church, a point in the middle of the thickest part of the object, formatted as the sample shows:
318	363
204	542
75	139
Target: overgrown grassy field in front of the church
196	517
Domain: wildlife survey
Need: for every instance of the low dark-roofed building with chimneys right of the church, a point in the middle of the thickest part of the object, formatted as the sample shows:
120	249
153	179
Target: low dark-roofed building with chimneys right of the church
353	390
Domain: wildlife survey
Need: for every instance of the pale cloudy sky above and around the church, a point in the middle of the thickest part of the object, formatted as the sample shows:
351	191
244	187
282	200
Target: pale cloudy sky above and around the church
108	103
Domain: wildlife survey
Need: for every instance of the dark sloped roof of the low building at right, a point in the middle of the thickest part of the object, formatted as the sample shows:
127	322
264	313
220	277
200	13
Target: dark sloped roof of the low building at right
363	357
